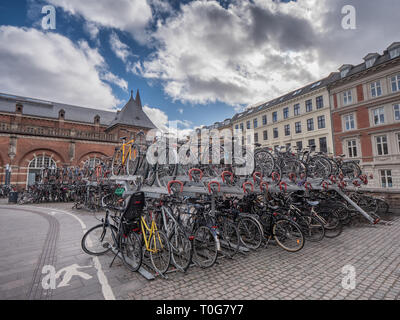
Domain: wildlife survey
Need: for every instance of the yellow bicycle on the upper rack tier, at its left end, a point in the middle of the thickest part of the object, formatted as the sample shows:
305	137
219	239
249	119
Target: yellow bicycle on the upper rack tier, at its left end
126	158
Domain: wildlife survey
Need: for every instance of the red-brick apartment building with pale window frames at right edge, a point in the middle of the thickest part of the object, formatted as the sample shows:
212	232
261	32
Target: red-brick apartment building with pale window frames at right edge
365	103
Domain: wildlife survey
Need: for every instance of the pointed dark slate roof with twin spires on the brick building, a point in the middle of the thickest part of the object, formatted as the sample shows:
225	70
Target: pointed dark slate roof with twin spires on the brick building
133	115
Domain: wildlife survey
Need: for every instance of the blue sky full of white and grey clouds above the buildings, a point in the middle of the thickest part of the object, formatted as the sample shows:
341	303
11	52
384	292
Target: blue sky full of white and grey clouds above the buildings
195	62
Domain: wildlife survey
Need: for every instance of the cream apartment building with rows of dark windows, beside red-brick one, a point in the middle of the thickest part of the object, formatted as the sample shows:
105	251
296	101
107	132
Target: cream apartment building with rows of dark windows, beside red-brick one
300	118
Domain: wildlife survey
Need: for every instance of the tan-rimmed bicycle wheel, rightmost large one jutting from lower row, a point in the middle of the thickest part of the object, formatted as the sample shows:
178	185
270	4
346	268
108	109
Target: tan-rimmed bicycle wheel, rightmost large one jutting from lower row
288	235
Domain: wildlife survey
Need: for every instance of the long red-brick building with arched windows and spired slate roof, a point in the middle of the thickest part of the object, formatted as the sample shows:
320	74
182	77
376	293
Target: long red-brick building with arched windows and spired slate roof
35	134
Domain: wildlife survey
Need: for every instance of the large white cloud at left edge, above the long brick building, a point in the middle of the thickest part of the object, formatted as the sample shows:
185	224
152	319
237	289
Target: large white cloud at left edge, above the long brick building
49	66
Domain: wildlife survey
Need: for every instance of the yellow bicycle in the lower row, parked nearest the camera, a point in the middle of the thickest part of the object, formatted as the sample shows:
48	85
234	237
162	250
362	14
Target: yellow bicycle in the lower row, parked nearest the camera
156	244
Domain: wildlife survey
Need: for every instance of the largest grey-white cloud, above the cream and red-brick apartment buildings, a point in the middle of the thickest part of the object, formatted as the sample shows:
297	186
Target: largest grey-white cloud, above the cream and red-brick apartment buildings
246	52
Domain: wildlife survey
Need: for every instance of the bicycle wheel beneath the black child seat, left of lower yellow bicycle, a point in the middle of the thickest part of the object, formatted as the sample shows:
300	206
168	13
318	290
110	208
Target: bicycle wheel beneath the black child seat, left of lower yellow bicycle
131	251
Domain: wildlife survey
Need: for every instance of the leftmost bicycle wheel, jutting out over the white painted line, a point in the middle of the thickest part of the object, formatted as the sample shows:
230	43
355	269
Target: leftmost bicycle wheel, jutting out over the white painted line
98	240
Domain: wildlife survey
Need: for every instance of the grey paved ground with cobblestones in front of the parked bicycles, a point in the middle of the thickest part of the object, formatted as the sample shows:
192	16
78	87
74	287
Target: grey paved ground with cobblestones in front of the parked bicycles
269	273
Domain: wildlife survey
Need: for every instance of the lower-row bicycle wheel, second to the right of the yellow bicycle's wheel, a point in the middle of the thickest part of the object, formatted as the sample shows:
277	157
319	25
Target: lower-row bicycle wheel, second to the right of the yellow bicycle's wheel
205	248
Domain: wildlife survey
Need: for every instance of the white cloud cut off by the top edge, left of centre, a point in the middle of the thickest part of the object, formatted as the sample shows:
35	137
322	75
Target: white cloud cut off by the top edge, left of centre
132	16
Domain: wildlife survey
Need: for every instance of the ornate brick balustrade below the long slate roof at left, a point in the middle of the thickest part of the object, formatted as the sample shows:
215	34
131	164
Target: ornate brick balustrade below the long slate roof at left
56	132
